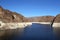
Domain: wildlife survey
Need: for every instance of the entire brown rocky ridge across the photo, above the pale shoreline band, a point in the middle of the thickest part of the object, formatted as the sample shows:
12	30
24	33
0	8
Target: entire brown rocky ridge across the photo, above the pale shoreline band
9	16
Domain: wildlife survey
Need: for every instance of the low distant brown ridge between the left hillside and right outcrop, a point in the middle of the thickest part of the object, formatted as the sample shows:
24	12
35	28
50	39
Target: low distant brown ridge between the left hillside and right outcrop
42	19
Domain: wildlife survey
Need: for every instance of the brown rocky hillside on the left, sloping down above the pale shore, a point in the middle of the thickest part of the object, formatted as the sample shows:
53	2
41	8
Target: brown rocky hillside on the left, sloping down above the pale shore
8	16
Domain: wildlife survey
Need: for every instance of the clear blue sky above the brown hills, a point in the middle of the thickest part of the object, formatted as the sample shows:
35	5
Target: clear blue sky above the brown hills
30	8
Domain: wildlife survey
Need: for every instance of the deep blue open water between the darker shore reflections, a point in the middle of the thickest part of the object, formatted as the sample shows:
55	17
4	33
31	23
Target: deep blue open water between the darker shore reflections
36	32
